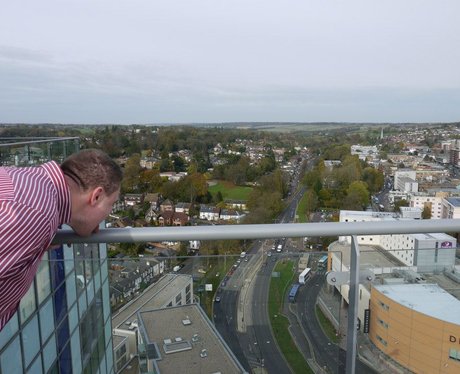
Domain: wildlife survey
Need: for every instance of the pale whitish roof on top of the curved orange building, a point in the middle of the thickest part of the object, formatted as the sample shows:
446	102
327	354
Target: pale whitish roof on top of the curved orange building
428	299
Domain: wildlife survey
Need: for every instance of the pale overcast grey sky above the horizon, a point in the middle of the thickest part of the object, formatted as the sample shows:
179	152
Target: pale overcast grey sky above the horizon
155	61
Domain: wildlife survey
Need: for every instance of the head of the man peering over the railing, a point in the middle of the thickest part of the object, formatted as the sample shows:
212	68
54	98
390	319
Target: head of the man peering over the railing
94	181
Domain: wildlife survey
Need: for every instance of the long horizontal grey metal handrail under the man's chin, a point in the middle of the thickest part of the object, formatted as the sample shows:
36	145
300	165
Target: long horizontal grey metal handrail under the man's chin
260	231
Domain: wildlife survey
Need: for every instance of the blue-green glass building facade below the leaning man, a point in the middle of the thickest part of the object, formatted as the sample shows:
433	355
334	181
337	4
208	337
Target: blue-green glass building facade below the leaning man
63	324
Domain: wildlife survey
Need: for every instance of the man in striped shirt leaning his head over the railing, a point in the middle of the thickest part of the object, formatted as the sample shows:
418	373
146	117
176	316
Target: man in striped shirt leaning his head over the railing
35	201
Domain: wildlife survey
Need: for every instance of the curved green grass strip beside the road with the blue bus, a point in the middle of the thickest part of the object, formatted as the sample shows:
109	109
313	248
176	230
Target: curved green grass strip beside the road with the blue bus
279	322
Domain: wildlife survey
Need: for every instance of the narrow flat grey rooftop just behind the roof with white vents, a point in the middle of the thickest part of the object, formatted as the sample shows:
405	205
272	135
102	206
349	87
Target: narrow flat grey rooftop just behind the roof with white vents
153	297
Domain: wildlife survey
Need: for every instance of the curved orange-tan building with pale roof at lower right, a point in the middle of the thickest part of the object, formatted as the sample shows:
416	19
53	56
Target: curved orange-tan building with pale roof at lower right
417	325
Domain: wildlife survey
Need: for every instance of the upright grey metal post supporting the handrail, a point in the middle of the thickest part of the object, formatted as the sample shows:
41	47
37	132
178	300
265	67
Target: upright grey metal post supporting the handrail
352	333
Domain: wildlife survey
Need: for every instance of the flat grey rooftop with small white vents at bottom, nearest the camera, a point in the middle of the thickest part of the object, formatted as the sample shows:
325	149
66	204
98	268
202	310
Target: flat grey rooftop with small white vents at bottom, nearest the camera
166	327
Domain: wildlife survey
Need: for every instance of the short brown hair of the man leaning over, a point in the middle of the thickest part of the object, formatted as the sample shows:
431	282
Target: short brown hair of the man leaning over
92	168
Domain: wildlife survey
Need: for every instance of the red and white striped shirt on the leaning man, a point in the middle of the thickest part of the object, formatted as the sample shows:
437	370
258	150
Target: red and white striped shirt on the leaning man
34	202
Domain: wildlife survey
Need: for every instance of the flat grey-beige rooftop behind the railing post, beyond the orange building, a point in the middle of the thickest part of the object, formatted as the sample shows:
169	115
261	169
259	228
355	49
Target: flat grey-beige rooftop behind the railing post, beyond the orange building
370	256
